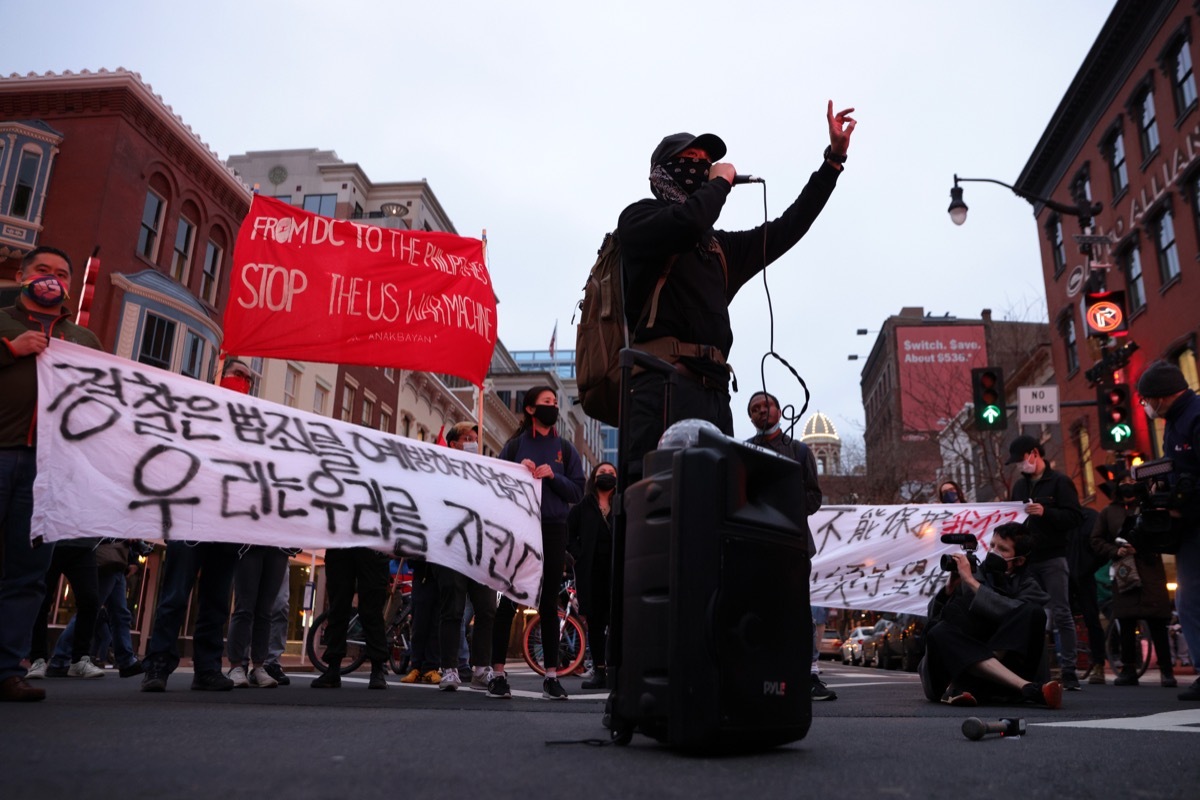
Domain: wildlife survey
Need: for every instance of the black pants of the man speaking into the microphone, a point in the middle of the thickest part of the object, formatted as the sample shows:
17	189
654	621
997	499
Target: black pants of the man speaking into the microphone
691	400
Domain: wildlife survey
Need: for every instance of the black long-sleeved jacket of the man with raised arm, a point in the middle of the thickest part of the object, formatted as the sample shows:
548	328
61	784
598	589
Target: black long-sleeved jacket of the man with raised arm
694	305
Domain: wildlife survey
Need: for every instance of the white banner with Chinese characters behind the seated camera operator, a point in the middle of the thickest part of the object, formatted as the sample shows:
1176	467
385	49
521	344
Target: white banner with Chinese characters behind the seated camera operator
886	558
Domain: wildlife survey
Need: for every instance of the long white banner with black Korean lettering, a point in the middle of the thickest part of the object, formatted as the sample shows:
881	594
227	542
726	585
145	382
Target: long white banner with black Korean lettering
131	452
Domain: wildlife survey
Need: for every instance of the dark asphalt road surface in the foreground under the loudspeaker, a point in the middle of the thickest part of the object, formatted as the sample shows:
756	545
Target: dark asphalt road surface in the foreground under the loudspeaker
105	739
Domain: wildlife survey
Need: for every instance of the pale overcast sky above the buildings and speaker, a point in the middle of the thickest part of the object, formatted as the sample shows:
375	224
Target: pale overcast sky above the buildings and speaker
536	121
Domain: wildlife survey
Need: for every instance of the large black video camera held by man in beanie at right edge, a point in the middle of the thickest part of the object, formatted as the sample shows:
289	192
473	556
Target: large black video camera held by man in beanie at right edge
1159	491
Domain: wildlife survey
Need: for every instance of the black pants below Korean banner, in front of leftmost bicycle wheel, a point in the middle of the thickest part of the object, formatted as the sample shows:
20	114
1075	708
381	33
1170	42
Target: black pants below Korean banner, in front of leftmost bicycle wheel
349	572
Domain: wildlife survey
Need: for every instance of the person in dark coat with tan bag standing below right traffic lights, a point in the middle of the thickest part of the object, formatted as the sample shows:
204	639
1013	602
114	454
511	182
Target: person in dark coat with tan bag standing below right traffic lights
1150	600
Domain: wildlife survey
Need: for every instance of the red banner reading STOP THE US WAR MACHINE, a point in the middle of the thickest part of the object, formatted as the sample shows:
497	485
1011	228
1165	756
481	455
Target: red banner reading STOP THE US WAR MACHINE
311	288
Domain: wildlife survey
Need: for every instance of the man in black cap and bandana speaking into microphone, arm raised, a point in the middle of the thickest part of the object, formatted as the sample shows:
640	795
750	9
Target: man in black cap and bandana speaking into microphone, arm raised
681	275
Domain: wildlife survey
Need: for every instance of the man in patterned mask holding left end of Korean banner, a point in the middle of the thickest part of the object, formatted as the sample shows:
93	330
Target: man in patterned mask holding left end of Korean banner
26	332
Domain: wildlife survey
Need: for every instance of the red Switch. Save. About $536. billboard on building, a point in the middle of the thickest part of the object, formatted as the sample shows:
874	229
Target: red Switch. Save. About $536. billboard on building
935	366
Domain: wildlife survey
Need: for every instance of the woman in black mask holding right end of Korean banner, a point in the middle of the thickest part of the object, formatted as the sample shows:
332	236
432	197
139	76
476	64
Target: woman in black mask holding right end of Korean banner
553	460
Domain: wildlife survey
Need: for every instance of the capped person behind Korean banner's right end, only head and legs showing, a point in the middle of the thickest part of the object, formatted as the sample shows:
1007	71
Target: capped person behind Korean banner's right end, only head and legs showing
454	590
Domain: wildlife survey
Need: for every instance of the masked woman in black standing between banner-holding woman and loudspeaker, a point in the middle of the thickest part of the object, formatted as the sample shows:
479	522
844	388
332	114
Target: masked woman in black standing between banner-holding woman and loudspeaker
590	543
